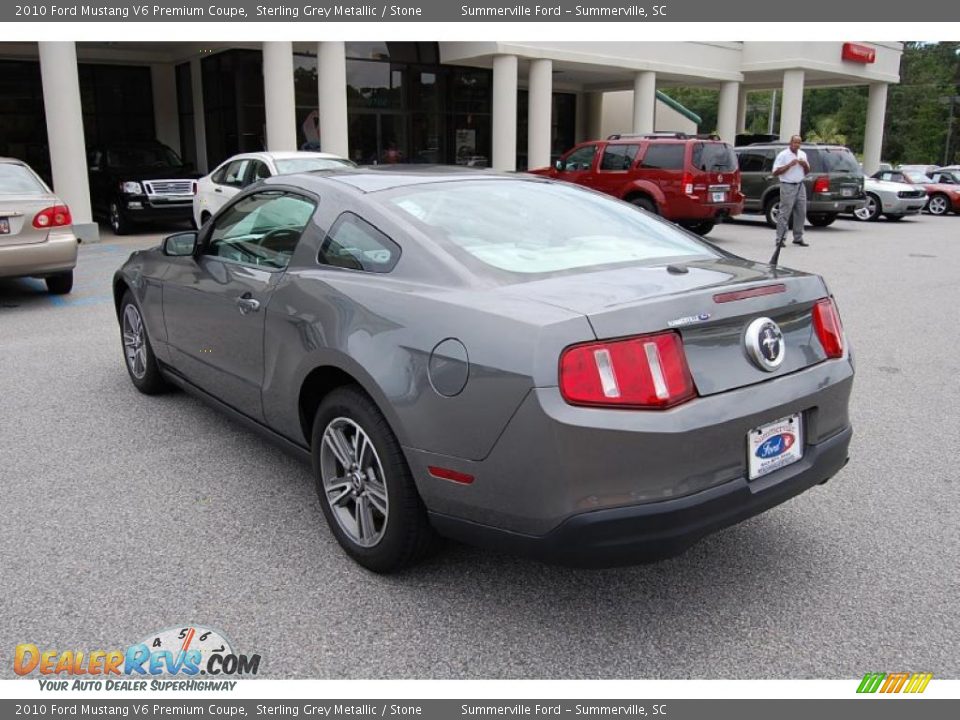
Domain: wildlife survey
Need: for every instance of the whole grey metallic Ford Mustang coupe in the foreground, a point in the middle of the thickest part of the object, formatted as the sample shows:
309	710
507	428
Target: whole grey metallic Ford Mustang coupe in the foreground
505	360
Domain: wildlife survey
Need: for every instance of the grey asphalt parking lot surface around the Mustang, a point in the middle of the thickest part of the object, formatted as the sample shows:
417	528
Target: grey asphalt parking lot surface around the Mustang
124	514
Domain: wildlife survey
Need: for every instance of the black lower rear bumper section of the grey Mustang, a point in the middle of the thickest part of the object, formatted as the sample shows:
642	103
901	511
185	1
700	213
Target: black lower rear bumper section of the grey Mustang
654	531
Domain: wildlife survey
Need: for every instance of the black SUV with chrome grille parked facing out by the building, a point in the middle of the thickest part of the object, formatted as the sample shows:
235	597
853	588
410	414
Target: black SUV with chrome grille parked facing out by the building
136	182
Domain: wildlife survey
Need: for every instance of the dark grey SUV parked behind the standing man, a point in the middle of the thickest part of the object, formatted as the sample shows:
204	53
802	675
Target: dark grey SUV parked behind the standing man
834	184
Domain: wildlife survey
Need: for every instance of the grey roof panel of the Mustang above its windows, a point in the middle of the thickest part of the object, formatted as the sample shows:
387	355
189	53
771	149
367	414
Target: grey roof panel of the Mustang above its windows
386	177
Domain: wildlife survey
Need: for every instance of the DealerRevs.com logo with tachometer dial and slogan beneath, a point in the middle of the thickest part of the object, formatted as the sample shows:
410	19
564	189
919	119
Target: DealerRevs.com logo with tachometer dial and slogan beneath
183	658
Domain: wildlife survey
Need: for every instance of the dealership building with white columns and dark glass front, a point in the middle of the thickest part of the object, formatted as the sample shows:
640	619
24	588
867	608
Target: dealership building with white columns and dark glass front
509	105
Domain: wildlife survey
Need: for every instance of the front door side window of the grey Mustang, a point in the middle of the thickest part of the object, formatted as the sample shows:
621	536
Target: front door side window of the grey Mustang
260	229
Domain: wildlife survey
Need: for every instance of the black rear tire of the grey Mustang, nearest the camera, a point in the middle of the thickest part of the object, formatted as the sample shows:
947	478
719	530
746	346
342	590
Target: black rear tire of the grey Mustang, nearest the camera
404	535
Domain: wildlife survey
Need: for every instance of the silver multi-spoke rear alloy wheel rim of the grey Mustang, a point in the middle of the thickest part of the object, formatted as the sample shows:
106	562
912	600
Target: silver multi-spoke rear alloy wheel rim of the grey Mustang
353	481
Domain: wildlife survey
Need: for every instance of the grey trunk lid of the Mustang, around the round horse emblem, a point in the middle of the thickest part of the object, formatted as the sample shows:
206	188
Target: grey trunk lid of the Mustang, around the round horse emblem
696	299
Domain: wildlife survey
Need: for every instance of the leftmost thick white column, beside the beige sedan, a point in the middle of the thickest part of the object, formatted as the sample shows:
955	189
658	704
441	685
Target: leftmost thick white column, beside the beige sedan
64	116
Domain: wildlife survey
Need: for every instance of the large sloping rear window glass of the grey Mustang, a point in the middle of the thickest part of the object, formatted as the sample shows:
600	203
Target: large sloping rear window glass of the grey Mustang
531	227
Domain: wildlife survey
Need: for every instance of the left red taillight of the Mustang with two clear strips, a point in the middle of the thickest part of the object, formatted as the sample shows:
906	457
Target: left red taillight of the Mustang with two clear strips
649	371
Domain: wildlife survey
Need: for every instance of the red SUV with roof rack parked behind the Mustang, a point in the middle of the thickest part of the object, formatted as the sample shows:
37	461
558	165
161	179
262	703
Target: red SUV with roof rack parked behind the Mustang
692	180
